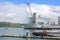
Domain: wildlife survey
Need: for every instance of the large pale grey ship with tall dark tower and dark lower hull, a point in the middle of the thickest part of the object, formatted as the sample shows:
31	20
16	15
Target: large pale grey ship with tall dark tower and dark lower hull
46	27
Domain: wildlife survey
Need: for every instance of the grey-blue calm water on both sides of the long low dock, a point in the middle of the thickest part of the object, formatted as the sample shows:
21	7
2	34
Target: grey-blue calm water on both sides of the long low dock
14	31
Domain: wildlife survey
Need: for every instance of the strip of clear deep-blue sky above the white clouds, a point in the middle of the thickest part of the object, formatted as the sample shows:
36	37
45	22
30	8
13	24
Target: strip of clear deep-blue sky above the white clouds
48	2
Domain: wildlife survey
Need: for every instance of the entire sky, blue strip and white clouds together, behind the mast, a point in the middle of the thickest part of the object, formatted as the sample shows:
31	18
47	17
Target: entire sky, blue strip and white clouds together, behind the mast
17	11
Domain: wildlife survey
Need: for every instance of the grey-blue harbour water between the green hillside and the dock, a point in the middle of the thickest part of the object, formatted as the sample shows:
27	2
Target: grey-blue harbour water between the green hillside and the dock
15	31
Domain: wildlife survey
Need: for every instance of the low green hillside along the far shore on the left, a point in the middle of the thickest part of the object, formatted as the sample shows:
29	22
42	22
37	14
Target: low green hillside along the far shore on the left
9	24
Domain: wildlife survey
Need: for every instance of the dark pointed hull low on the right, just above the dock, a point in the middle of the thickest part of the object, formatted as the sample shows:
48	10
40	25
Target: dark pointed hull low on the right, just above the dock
46	33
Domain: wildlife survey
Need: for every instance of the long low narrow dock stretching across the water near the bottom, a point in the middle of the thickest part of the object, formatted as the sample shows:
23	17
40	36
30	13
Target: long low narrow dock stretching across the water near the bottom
36	37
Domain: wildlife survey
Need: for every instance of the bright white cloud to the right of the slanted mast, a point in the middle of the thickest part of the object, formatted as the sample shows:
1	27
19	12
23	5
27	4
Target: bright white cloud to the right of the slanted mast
46	11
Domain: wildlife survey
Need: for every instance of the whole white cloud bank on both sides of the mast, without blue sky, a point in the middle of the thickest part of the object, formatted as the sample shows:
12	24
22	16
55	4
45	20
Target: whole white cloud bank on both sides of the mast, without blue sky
19	12
